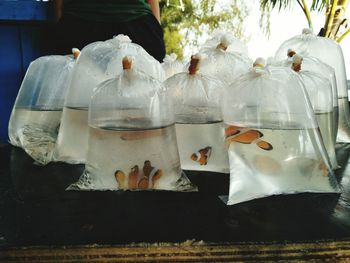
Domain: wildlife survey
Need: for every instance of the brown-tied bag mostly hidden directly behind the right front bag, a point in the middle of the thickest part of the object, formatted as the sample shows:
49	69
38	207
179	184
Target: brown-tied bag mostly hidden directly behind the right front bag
319	90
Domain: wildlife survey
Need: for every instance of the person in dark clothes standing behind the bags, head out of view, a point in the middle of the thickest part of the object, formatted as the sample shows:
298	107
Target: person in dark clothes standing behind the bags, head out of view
81	22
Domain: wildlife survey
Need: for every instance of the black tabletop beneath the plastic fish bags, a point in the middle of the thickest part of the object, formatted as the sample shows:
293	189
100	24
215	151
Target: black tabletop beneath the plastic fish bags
35	210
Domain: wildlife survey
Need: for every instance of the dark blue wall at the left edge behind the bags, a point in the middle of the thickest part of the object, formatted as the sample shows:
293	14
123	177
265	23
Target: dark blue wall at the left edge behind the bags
23	27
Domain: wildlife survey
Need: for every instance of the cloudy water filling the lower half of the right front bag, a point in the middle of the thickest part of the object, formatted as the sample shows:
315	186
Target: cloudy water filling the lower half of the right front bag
291	166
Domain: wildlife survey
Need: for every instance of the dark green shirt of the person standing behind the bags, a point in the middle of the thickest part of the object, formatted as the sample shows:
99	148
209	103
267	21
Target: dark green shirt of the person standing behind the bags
107	10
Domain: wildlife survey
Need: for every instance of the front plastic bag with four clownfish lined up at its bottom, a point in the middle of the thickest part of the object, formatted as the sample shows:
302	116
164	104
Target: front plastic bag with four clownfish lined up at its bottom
132	143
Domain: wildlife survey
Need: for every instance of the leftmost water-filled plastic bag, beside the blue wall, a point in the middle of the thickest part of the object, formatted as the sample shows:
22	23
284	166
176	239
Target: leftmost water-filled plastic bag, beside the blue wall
36	115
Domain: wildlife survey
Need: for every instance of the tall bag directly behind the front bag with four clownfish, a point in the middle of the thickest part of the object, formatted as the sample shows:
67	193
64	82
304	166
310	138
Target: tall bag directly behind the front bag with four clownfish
97	62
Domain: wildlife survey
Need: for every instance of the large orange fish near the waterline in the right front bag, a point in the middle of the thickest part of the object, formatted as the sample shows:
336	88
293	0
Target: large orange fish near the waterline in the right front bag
246	136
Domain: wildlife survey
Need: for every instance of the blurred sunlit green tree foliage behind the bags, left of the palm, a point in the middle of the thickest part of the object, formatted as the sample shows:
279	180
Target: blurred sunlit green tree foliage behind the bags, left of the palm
184	21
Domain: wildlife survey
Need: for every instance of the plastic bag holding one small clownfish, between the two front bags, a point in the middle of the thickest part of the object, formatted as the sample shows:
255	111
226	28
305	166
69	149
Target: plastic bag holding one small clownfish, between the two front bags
199	127
